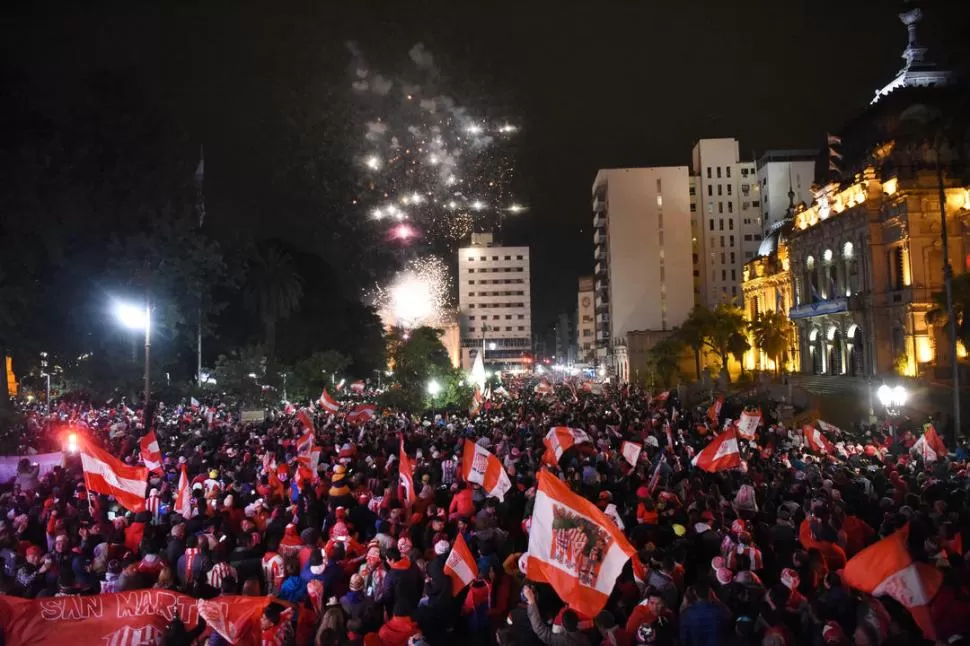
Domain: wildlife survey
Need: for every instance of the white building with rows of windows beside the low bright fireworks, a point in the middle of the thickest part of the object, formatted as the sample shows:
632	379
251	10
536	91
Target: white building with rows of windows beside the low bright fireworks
495	303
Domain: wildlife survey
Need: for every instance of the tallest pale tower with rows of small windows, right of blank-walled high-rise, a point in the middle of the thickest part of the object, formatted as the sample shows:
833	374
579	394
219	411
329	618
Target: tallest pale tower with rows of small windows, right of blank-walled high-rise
726	218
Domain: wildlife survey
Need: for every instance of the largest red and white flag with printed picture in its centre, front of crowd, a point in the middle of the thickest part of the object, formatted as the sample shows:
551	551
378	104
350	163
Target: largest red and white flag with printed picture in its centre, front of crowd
574	546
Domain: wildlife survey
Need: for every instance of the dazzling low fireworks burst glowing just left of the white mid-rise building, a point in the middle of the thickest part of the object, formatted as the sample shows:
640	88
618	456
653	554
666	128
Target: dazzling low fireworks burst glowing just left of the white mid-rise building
418	295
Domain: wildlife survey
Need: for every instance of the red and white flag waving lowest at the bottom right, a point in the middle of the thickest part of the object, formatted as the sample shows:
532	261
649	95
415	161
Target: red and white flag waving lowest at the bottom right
886	568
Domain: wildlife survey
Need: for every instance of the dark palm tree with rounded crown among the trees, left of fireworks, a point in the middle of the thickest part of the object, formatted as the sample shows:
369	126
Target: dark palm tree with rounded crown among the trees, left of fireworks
273	291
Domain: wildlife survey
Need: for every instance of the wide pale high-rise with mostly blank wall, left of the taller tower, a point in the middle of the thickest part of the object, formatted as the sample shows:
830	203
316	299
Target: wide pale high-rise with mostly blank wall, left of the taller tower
642	248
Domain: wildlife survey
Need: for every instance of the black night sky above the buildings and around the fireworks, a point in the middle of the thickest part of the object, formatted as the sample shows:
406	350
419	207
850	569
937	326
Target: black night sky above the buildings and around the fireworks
593	84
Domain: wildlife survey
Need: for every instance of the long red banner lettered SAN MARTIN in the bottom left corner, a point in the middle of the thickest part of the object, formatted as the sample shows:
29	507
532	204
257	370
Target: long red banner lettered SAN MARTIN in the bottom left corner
137	618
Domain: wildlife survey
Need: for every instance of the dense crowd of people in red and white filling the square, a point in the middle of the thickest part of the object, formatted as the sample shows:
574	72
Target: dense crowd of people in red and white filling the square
749	555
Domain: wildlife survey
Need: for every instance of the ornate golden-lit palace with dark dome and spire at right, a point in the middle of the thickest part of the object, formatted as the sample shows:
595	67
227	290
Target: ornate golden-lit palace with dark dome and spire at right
866	259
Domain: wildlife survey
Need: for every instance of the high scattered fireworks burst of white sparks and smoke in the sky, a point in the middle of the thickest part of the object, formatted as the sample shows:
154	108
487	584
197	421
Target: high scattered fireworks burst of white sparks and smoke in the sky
426	158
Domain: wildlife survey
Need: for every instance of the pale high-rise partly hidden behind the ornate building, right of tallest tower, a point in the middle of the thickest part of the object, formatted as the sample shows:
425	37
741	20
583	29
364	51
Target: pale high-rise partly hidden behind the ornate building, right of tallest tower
779	170
